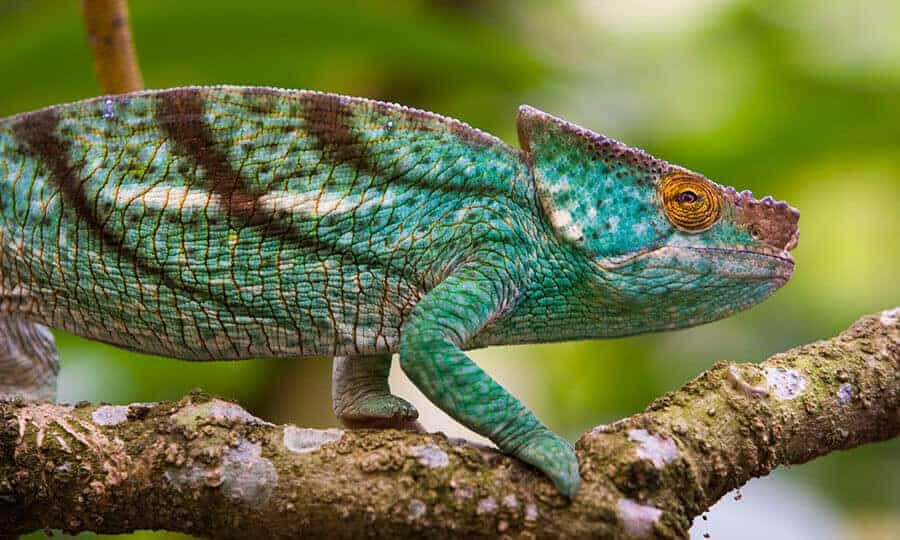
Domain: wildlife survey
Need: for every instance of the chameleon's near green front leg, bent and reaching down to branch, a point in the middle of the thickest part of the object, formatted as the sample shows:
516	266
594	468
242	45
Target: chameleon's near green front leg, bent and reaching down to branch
431	357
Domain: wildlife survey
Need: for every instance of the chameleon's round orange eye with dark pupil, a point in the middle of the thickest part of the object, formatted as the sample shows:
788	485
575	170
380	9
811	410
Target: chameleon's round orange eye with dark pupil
691	203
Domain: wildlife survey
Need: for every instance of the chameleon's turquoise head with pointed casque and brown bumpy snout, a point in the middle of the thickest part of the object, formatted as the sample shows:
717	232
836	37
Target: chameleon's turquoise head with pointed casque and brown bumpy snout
665	247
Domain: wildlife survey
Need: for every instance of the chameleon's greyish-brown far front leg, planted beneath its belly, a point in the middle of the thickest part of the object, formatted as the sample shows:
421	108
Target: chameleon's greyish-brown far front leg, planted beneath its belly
361	397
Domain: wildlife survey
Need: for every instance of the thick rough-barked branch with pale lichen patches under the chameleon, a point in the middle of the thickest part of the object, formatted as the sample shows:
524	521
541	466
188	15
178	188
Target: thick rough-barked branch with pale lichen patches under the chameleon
205	466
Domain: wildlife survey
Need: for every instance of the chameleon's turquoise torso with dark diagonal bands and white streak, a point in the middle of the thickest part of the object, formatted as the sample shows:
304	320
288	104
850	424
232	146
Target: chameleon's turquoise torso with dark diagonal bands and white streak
229	222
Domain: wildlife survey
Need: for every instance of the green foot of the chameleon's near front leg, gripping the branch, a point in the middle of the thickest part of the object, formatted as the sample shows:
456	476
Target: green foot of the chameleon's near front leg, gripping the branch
556	458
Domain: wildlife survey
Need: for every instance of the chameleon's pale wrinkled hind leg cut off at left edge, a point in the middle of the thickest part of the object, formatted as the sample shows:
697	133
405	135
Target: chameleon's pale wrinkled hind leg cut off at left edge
28	360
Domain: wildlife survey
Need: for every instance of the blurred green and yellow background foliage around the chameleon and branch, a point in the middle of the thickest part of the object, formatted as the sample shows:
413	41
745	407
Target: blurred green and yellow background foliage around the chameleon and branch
797	98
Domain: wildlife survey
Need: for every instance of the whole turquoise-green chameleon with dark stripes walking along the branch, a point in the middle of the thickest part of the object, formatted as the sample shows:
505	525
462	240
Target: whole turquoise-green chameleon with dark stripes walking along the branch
212	223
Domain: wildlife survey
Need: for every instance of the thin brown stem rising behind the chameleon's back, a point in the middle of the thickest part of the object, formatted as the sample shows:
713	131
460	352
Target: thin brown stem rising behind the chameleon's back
109	35
